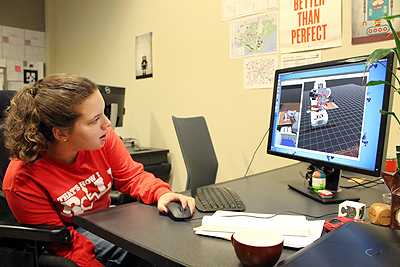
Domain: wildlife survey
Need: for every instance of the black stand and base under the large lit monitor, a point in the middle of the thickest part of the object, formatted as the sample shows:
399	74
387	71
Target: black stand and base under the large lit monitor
332	184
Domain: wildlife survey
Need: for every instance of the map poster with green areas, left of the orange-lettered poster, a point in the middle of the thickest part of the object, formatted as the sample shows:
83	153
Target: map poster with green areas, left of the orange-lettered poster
254	36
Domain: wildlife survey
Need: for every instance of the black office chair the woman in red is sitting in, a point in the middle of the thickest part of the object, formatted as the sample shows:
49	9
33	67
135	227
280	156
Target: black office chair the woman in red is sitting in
20	245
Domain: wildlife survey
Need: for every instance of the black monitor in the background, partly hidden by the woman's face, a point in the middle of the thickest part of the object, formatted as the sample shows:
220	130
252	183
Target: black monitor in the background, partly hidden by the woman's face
114	98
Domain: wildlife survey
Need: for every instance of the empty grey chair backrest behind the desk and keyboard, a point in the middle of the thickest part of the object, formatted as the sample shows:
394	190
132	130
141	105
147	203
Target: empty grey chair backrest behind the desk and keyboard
197	151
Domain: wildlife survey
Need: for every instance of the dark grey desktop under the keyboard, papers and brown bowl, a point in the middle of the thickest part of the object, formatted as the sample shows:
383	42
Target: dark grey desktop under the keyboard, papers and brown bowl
142	230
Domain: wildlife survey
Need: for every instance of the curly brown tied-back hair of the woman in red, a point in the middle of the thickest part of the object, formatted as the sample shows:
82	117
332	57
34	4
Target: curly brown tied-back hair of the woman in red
34	111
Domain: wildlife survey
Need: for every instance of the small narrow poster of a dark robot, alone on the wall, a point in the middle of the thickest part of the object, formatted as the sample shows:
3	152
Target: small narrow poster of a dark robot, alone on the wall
144	65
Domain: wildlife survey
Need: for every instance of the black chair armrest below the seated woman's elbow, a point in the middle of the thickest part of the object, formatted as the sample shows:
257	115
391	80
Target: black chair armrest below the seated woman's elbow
44	233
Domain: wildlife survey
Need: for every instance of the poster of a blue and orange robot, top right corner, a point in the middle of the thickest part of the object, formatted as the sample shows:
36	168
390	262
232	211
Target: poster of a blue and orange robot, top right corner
367	25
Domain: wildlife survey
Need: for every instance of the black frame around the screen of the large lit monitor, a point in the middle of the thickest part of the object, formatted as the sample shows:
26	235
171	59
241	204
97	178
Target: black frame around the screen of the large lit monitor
385	122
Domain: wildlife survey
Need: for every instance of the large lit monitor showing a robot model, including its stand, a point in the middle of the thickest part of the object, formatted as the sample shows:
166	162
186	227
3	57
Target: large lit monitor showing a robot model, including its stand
322	114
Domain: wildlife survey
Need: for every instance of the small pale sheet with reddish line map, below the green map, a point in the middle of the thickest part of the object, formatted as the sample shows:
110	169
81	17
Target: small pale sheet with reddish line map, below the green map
259	72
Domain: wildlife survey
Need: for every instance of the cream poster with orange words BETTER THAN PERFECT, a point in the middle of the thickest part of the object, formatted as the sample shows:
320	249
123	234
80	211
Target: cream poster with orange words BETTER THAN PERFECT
310	24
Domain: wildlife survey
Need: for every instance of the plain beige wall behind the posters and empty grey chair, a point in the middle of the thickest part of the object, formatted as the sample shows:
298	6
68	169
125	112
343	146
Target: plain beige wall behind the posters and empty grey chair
193	74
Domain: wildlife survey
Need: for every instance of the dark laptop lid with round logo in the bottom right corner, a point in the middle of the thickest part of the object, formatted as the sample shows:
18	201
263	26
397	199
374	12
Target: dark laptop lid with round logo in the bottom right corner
353	244
